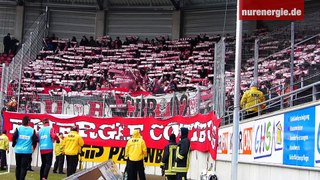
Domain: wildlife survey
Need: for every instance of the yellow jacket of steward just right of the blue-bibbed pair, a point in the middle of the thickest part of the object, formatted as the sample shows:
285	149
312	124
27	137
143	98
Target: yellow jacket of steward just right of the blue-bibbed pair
72	143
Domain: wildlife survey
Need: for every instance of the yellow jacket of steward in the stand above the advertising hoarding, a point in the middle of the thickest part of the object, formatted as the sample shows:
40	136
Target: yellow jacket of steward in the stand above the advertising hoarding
252	97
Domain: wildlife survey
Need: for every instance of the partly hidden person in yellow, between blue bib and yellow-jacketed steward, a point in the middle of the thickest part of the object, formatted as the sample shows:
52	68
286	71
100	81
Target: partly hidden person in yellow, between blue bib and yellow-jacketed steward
58	151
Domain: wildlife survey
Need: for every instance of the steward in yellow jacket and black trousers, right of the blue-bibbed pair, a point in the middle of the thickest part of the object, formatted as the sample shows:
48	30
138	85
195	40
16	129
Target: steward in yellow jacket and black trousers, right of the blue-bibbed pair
72	144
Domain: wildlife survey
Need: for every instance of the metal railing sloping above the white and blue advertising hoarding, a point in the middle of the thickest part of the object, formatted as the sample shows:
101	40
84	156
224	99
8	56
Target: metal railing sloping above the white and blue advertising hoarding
299	96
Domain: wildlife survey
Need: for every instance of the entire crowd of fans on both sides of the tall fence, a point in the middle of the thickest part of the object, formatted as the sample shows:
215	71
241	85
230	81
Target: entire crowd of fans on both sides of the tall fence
157	66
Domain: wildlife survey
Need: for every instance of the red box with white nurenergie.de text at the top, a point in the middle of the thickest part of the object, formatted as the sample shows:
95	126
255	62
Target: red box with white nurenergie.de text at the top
271	10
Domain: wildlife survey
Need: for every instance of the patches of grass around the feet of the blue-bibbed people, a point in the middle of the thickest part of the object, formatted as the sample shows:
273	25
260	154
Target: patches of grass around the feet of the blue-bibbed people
35	175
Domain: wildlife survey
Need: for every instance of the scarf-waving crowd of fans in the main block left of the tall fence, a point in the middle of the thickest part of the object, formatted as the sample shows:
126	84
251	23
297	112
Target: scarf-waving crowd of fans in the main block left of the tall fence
92	65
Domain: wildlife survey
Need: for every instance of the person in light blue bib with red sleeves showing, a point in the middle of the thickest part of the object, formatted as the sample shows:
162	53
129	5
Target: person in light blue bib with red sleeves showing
47	136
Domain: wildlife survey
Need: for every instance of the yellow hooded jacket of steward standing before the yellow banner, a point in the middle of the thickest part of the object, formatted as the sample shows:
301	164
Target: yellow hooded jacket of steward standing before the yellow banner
136	148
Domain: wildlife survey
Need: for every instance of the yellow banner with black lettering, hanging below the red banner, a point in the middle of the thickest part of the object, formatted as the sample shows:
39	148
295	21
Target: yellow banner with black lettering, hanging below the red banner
102	154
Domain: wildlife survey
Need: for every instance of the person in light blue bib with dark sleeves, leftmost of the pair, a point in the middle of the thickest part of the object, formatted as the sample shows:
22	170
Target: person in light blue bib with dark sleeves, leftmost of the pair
24	141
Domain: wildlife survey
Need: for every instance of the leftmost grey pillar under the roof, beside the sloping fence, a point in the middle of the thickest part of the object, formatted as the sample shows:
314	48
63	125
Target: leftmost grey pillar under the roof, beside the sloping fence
19	22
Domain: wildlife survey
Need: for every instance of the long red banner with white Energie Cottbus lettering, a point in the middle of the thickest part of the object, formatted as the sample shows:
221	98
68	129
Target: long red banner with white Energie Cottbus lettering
114	132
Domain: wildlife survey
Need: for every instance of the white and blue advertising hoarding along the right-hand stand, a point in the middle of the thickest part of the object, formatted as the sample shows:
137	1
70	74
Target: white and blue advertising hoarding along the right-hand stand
292	138
